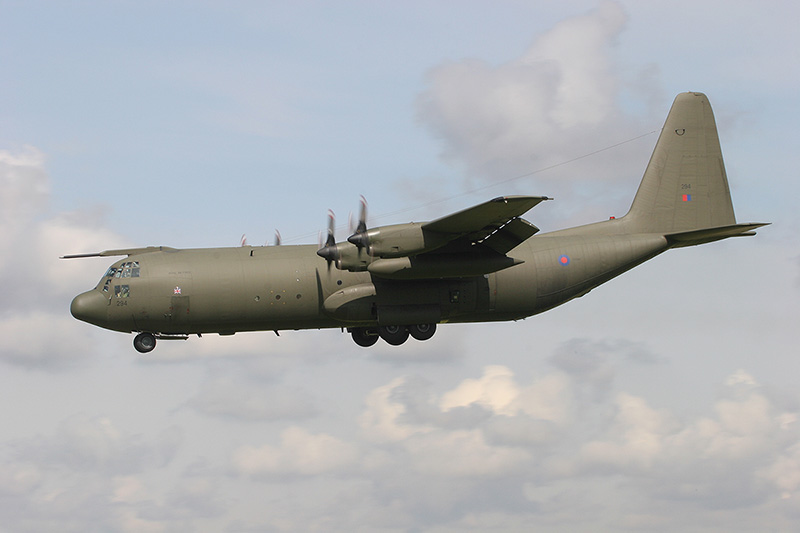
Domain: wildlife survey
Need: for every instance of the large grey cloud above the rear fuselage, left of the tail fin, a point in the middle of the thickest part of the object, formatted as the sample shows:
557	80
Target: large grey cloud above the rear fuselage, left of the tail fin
553	103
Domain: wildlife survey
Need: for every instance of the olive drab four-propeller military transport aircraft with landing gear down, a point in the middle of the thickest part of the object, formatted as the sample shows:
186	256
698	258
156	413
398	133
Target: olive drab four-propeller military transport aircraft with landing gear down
481	264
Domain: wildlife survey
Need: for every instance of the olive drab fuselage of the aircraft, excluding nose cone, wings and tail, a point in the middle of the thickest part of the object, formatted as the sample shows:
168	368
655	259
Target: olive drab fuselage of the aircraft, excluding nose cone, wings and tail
225	290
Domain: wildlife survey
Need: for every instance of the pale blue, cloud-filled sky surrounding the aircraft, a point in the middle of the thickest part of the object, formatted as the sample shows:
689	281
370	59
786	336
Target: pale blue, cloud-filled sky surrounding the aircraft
665	400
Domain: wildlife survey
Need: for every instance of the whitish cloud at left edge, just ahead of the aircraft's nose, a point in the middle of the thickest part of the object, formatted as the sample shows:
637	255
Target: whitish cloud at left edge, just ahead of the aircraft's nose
37	330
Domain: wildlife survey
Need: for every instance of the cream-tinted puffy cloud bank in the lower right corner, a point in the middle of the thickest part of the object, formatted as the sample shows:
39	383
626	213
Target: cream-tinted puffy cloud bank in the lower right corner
718	461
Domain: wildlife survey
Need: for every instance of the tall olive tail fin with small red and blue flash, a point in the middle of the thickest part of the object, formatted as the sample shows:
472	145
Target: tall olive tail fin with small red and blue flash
685	187
